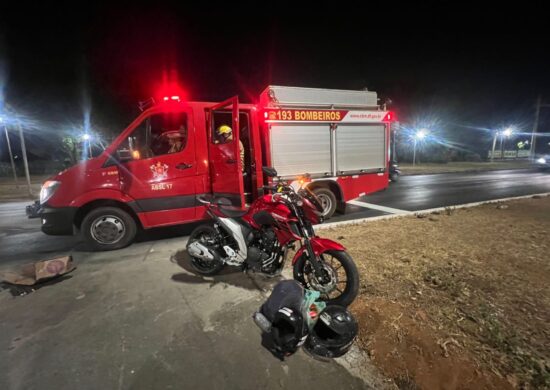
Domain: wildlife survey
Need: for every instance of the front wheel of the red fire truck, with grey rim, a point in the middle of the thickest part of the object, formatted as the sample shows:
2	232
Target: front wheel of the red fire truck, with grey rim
108	228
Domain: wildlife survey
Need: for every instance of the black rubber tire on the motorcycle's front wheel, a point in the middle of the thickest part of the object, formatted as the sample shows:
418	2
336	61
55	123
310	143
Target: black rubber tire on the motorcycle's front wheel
302	268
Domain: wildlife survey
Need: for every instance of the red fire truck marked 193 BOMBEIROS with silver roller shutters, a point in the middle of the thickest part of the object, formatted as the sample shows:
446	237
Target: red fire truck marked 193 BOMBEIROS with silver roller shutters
152	173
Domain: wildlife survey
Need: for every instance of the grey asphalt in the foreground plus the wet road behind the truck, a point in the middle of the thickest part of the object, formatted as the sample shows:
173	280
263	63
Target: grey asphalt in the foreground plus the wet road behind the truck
139	318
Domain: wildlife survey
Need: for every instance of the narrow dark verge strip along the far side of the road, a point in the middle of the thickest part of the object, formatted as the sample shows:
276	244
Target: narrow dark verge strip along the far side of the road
462	166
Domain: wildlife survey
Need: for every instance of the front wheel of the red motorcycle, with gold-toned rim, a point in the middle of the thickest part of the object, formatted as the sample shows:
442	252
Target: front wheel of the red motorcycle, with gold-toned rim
342	284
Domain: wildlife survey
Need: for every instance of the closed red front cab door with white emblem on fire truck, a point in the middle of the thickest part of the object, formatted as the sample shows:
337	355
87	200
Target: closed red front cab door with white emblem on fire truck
161	174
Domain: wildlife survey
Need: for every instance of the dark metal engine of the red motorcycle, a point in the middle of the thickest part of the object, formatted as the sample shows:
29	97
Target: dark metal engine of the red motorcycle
264	252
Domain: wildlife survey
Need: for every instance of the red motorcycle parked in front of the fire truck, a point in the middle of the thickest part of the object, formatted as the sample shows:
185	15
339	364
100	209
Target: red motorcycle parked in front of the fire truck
260	237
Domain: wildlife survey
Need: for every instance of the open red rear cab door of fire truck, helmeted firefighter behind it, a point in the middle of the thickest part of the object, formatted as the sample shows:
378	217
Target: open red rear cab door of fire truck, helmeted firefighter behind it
224	148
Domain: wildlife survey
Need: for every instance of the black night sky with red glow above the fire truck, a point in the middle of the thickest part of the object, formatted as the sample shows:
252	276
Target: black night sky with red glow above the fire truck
465	65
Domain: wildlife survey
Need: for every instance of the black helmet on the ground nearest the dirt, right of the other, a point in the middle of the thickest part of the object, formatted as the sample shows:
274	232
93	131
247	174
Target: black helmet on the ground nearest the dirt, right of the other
333	334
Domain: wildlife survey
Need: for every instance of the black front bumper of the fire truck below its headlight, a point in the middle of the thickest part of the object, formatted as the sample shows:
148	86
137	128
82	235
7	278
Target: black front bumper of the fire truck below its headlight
56	221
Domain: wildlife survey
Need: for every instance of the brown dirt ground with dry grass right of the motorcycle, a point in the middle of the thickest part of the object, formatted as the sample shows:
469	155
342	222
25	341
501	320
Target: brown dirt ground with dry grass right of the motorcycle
458	299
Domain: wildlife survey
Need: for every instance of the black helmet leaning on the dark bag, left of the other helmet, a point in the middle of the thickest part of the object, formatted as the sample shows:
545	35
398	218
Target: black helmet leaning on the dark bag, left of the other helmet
288	331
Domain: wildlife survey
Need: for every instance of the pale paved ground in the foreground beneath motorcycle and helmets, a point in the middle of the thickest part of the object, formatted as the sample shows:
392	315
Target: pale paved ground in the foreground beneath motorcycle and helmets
139	318
